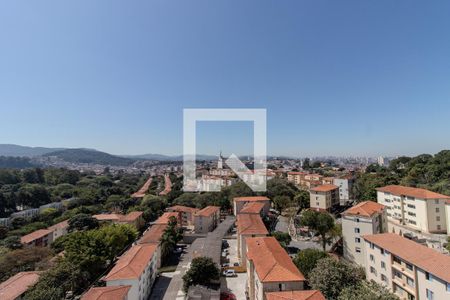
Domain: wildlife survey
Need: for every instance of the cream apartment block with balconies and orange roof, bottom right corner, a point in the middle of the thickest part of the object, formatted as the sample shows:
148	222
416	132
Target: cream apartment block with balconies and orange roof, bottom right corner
408	269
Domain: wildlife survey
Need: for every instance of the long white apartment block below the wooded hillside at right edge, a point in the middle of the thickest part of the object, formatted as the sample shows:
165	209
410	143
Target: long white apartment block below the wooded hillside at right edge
419	209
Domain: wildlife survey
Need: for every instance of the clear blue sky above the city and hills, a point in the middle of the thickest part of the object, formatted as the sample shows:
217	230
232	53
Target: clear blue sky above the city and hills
336	77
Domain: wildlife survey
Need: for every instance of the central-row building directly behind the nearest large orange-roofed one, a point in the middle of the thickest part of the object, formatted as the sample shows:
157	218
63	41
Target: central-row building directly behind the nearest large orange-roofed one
248	225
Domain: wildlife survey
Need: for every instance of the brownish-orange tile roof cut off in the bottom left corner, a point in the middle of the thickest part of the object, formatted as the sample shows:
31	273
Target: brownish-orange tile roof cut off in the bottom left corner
15	286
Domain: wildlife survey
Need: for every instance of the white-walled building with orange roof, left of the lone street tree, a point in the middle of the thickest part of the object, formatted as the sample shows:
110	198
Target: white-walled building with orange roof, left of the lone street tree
136	268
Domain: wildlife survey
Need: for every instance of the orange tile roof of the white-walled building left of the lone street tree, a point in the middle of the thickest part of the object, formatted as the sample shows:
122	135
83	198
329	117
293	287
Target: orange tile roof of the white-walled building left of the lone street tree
132	263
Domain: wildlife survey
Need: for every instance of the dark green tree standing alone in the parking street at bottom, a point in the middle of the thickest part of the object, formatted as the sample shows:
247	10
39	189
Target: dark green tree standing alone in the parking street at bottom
202	271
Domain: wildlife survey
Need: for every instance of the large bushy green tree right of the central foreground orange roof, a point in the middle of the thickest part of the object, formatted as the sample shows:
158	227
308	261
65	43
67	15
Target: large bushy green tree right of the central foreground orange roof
331	276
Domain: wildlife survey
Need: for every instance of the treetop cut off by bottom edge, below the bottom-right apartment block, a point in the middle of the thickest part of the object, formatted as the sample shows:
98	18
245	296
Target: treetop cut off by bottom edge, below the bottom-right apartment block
366	291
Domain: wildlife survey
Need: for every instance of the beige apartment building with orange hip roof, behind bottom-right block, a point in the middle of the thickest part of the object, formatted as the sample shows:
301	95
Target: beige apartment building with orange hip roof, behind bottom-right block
365	218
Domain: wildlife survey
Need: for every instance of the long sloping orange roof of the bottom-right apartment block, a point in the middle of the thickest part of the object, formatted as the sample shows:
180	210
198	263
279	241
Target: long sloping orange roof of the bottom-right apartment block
423	257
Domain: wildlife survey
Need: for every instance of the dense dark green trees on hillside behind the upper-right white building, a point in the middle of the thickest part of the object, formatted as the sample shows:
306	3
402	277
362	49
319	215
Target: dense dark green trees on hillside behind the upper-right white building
423	171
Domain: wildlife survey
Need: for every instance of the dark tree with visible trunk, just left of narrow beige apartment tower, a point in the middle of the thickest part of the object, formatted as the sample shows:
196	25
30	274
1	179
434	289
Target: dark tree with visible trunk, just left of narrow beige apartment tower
321	223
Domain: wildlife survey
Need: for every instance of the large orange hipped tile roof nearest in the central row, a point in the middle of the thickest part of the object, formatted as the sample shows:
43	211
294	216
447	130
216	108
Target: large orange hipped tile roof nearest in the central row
271	261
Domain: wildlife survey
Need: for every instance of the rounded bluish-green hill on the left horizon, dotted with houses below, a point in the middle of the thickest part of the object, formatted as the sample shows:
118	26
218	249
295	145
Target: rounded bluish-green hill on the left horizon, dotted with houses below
90	156
